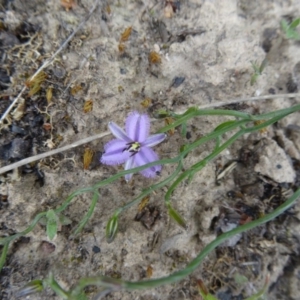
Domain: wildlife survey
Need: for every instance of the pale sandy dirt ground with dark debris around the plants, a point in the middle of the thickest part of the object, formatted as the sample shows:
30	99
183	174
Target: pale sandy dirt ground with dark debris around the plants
206	49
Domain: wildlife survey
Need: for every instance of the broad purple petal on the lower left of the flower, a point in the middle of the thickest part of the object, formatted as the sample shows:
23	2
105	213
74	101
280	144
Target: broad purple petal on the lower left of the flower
114	154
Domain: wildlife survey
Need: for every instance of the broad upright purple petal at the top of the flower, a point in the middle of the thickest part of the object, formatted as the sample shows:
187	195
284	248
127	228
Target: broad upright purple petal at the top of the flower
138	126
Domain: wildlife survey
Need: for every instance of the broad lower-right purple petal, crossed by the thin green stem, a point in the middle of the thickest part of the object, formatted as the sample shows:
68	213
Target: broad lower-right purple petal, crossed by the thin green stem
145	156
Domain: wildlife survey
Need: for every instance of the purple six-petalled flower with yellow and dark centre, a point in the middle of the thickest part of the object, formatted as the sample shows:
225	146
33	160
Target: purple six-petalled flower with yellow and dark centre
133	147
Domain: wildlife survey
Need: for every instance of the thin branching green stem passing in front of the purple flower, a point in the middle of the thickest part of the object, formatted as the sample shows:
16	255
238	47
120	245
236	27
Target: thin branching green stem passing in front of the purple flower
246	118
